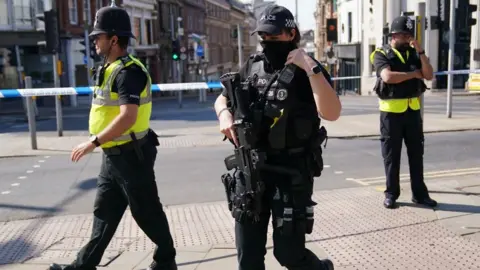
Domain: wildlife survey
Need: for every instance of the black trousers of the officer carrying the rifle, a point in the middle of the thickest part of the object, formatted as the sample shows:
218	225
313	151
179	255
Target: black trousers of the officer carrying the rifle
289	250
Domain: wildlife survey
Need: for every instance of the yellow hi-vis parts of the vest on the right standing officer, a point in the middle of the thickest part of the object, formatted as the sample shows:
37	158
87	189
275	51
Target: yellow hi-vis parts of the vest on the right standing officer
396	105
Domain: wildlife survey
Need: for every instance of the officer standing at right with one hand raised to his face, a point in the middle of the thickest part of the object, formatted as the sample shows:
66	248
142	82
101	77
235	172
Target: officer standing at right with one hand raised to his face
401	67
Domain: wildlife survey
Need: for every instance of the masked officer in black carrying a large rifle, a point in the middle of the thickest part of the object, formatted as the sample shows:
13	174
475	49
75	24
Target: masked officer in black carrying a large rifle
270	110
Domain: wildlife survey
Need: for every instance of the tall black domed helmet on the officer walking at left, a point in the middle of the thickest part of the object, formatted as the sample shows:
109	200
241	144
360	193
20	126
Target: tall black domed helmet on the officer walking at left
114	21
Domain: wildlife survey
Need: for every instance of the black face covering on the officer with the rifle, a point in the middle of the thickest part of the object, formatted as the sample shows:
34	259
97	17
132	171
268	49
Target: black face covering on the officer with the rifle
276	52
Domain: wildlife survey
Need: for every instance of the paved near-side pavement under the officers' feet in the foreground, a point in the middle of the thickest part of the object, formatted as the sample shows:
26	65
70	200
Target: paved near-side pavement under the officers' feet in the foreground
351	228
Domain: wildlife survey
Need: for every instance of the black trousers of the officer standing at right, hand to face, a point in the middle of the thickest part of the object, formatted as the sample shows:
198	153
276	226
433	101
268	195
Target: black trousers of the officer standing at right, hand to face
394	128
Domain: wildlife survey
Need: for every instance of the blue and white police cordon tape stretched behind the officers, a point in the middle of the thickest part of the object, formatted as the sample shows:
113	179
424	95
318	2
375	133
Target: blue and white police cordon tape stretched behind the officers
85	90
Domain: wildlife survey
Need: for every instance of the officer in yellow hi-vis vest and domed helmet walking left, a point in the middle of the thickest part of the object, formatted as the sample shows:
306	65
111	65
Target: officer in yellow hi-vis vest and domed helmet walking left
119	124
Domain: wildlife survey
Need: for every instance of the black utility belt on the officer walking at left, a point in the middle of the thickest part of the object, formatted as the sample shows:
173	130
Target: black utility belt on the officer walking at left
135	144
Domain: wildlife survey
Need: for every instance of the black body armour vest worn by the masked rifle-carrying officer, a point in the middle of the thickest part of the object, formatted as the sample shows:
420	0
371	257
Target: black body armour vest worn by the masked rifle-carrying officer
296	123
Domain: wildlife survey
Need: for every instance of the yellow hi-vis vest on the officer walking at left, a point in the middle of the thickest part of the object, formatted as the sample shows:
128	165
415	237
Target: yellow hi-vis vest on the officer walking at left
105	105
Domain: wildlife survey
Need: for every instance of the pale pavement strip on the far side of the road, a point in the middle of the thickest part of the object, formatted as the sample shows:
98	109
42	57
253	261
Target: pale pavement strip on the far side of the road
348	126
